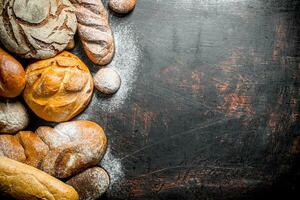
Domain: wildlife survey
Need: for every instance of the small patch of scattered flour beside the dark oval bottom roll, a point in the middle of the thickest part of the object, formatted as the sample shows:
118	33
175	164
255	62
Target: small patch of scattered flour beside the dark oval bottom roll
113	166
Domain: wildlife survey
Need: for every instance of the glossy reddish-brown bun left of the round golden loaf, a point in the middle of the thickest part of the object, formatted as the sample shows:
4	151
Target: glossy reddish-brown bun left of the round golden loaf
12	76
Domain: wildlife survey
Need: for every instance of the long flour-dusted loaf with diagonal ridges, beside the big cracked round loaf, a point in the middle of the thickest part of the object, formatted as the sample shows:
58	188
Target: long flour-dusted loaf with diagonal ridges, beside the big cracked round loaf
94	30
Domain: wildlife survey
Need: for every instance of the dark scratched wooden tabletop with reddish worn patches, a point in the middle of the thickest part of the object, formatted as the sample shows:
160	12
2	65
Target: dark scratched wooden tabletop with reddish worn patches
210	106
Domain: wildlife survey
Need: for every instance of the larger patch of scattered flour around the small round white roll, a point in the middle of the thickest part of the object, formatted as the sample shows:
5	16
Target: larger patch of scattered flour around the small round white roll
126	62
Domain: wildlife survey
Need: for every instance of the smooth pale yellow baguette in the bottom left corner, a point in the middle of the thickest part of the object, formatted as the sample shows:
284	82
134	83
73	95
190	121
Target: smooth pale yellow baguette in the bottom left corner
24	182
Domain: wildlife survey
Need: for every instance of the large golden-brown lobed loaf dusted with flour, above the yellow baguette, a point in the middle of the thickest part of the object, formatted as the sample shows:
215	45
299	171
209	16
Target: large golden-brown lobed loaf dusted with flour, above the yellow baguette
62	151
